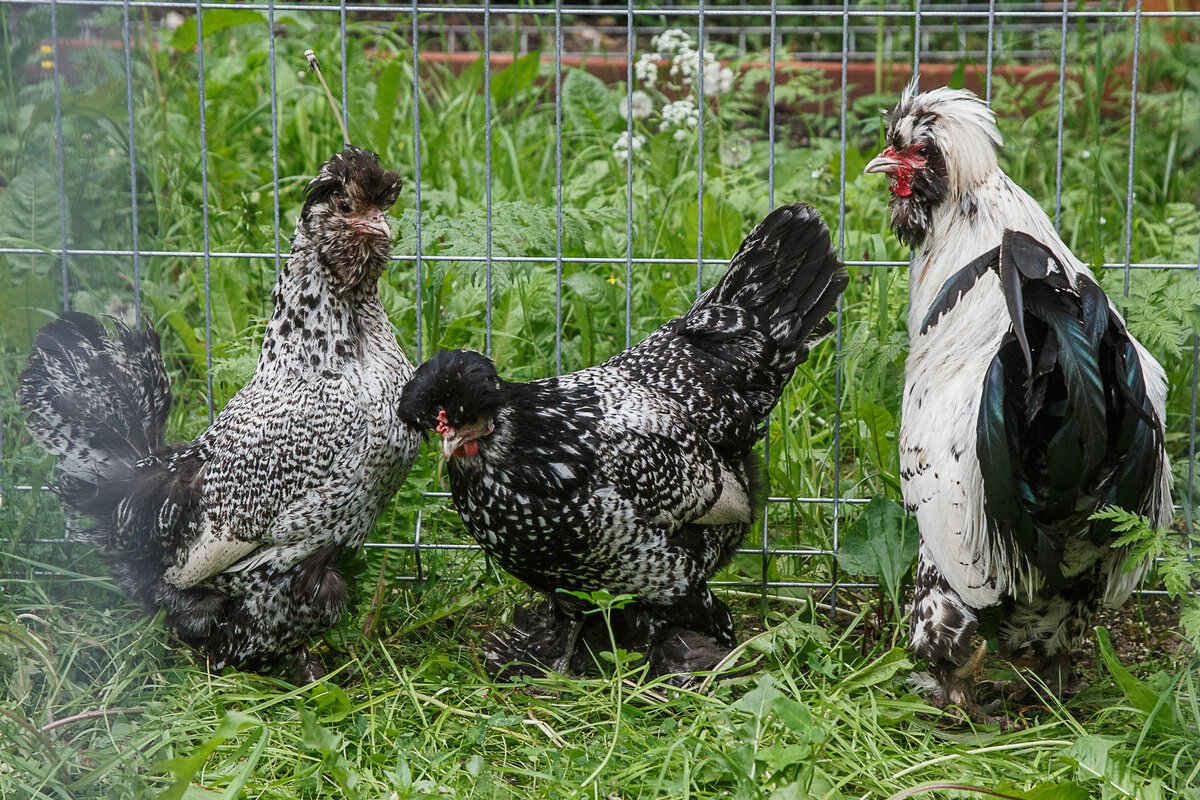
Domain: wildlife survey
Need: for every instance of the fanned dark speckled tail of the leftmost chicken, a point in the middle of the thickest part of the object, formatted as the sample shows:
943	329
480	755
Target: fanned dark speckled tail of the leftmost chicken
99	401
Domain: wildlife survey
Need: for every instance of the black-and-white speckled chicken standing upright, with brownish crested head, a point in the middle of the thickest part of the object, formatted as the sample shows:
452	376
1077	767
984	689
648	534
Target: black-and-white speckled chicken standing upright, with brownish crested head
237	536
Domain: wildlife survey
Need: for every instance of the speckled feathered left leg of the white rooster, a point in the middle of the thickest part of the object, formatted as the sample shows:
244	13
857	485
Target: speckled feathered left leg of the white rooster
943	628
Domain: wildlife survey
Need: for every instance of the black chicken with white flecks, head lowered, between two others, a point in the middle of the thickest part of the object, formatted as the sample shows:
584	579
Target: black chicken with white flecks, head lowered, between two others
639	476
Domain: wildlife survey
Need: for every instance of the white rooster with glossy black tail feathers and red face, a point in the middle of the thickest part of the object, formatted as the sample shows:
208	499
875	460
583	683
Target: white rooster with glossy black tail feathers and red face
1028	407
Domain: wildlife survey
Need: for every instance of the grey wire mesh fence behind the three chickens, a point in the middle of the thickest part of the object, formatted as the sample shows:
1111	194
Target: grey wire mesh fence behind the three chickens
814	69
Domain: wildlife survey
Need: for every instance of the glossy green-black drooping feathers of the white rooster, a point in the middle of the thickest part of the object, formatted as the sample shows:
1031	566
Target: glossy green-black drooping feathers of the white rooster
1065	424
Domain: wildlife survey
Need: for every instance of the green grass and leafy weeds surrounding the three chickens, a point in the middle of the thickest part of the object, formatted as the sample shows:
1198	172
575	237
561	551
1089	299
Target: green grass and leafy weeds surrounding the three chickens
411	714
